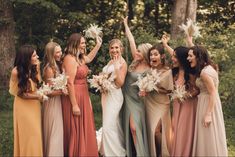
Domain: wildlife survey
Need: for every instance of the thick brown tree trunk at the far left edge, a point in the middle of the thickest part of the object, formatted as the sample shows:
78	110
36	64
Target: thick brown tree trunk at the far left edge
7	43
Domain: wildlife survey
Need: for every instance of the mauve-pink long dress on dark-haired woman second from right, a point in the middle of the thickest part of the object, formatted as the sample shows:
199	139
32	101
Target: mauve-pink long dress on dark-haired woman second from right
183	124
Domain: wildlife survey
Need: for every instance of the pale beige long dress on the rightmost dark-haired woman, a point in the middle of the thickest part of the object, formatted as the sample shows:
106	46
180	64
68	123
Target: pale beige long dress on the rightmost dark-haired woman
209	141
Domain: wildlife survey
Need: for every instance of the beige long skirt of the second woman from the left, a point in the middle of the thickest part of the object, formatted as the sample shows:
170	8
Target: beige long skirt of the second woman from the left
53	127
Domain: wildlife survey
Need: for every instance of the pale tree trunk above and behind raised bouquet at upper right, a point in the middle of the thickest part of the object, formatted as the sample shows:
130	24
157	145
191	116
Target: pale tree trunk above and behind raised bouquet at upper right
182	10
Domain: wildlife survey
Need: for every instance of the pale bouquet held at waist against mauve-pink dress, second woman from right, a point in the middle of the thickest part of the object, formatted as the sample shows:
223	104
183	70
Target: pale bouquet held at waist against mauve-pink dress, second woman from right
179	93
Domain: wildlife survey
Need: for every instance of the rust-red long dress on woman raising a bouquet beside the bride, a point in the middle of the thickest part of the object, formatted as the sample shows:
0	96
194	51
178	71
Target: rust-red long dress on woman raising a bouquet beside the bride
79	131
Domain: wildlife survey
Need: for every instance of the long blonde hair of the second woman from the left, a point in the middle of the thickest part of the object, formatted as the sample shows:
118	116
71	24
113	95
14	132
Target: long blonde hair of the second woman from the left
49	57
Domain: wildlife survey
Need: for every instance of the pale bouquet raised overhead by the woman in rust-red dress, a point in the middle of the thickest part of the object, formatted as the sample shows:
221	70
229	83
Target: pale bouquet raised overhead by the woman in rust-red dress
93	31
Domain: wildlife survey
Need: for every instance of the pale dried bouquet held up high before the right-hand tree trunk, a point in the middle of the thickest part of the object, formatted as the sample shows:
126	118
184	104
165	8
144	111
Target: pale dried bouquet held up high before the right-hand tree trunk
190	28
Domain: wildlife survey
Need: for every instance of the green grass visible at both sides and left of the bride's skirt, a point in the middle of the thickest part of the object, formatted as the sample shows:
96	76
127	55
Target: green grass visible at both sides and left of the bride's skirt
6	127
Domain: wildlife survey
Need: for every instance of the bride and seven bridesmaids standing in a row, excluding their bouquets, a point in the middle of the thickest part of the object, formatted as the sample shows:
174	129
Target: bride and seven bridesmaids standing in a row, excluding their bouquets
134	122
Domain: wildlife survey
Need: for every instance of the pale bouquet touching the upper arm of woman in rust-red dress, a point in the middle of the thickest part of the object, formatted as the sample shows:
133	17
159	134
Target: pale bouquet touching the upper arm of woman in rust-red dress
60	82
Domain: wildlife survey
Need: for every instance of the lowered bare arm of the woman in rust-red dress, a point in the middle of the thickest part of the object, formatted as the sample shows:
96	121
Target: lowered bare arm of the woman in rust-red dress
70	67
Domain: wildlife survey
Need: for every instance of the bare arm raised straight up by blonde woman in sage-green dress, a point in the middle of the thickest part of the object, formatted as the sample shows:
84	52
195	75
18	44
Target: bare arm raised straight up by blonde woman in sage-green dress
130	37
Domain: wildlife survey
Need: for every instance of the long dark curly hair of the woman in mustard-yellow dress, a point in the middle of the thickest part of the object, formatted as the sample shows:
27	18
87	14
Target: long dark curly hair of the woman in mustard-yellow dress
25	69
